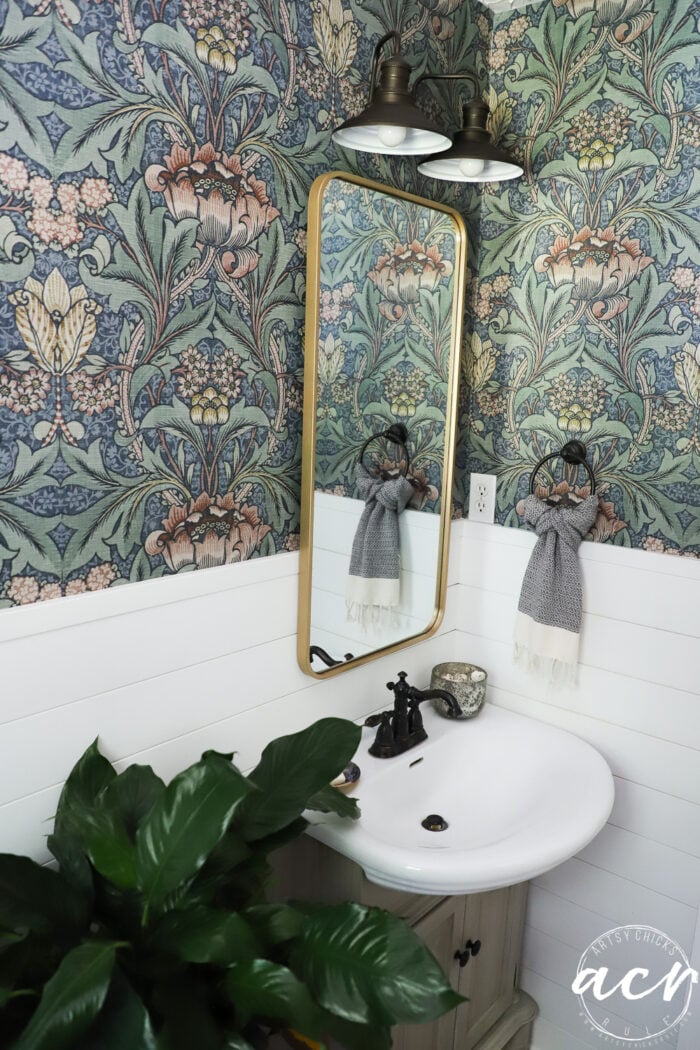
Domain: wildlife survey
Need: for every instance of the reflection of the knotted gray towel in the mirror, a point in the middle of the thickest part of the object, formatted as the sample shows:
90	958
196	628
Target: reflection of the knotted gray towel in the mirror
374	585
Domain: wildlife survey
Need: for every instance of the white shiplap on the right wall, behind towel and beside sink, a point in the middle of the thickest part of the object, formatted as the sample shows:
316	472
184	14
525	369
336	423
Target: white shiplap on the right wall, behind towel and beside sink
638	701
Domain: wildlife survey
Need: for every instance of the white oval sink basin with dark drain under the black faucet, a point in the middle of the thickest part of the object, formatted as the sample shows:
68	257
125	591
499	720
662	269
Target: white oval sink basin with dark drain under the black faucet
519	799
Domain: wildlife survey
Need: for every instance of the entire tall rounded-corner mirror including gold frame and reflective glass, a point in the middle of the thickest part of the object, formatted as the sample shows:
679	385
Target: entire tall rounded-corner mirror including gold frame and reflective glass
385	309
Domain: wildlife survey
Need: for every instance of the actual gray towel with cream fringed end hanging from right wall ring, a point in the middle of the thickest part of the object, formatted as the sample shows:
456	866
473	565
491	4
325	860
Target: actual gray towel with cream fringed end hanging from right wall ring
550	608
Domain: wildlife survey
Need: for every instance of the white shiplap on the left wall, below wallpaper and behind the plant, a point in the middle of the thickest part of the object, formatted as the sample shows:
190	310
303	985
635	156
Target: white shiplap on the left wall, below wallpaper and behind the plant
211	665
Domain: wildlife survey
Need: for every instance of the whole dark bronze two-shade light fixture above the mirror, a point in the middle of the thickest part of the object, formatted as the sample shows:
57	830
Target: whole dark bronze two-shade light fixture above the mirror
393	123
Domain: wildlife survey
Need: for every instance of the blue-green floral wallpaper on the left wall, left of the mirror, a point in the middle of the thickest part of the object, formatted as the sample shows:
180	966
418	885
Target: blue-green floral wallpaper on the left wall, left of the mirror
156	159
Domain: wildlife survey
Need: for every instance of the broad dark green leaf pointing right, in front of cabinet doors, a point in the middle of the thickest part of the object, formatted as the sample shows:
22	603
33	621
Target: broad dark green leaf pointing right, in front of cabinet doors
369	968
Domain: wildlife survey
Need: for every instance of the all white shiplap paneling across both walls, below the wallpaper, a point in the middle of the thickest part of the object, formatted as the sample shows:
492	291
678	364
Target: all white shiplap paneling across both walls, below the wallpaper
165	669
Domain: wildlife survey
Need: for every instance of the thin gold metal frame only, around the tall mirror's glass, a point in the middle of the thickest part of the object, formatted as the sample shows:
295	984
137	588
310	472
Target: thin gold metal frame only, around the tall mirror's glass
310	419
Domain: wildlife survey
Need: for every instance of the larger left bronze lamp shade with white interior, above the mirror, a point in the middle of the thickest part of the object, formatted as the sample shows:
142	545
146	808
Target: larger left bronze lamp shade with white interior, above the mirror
392	122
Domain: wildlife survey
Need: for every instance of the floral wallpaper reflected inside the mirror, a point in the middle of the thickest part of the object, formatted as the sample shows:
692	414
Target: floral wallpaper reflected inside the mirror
387	299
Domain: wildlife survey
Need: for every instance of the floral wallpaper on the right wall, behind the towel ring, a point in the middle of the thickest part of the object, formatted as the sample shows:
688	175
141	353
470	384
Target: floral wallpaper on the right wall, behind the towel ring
587	302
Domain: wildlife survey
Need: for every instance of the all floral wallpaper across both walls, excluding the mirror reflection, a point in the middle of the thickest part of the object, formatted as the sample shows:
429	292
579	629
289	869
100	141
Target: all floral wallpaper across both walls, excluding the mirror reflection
156	159
